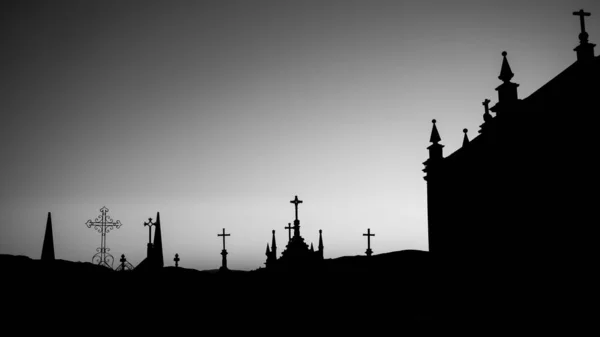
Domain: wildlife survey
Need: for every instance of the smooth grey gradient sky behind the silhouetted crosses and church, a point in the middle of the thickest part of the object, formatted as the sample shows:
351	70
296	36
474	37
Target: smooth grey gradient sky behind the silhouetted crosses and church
217	113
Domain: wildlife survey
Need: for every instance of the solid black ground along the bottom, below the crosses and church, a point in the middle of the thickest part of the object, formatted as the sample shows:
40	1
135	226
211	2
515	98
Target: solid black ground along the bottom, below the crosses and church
421	297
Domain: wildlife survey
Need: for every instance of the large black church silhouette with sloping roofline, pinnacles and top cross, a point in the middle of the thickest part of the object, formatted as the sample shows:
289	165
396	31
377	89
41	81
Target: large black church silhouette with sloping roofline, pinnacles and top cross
513	194
